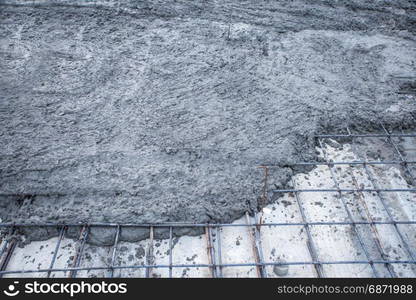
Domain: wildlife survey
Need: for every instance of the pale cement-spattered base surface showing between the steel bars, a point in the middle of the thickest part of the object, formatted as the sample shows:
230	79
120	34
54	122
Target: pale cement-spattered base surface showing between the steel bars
280	244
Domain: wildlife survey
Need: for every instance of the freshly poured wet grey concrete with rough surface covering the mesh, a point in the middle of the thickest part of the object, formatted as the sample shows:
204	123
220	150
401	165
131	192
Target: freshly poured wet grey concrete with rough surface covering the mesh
164	111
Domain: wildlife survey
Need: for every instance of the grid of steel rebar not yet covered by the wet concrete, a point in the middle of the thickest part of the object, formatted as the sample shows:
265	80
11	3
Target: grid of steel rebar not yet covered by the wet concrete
254	224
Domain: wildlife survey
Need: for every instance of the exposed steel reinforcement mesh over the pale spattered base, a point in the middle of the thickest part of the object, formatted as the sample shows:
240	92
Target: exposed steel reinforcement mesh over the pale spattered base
380	263
